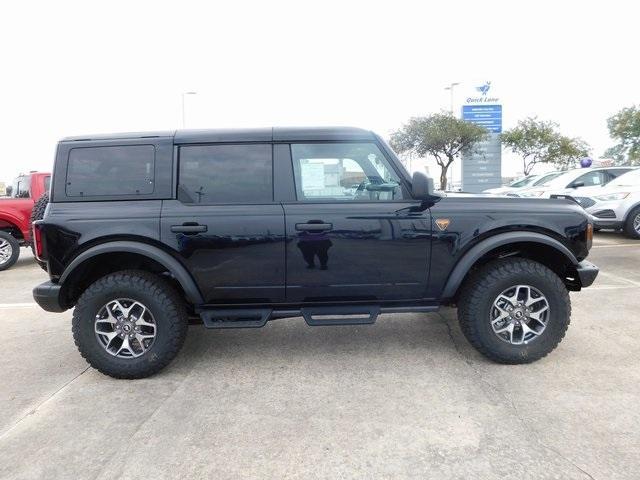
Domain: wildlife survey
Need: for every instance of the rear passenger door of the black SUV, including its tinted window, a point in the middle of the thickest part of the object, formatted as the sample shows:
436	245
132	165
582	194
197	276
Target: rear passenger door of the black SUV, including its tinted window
224	223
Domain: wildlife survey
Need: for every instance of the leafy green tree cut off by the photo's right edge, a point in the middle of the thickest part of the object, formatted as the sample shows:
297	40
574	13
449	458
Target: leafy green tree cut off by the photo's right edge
624	127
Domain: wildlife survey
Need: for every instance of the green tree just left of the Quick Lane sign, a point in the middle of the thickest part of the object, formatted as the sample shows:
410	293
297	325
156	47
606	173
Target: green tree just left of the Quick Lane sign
440	135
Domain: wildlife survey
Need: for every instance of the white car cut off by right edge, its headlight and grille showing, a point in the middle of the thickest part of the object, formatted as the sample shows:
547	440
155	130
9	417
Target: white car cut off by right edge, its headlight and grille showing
616	205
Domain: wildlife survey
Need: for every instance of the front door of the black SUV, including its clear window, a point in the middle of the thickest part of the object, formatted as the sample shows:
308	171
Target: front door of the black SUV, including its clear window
353	233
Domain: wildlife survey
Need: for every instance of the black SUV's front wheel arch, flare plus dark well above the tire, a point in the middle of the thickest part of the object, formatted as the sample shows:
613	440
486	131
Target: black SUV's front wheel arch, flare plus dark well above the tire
535	246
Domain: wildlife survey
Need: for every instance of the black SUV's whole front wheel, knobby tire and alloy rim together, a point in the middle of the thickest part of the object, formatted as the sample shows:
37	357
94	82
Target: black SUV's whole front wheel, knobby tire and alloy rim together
514	310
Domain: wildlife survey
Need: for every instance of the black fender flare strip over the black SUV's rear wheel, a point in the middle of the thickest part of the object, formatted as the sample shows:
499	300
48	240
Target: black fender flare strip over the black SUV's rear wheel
179	272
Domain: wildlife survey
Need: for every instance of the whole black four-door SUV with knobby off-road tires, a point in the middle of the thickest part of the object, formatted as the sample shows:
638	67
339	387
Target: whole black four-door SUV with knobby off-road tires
147	232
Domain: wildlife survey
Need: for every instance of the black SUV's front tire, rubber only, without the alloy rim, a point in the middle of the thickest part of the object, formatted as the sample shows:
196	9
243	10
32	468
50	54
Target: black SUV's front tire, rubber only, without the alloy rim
483	287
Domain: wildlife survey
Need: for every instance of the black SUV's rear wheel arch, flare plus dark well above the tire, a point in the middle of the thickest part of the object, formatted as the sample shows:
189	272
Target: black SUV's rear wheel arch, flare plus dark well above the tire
109	257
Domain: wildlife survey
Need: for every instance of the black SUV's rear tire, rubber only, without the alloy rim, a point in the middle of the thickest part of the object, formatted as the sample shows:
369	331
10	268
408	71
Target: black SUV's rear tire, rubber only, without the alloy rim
166	306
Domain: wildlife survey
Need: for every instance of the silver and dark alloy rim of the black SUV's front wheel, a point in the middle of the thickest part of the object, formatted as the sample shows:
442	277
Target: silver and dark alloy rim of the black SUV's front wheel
520	314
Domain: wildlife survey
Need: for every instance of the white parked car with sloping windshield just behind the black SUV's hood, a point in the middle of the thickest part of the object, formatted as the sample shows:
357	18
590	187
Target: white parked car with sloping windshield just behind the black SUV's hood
573	181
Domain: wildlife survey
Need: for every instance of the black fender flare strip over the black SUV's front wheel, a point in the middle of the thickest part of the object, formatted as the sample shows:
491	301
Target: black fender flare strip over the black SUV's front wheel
476	252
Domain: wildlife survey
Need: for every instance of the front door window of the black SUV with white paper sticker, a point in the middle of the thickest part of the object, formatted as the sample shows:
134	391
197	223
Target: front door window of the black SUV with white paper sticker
343	172
